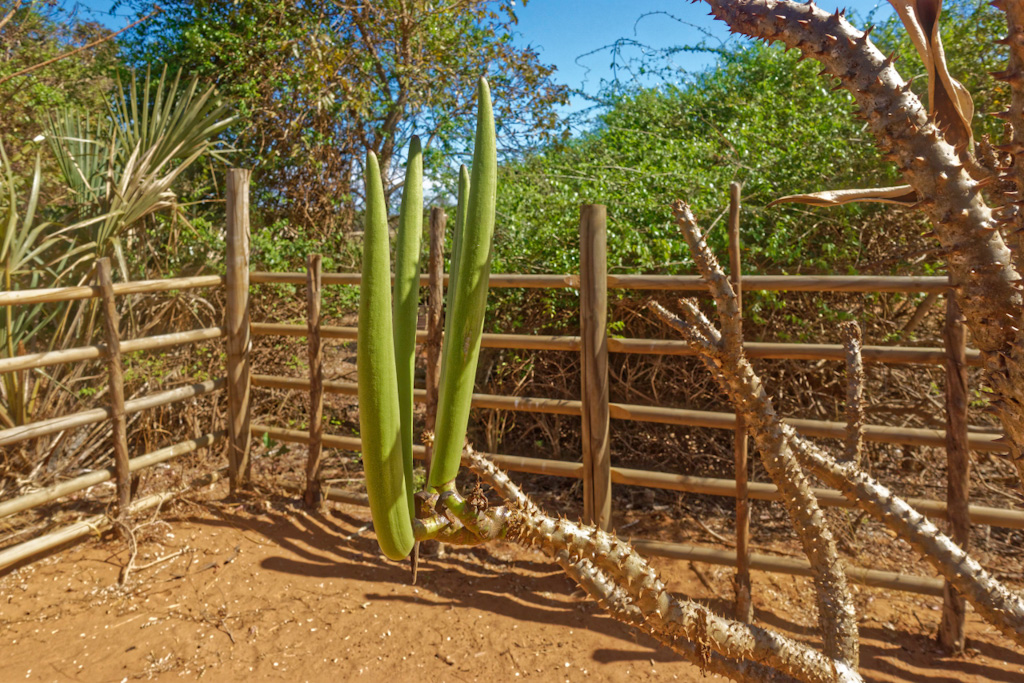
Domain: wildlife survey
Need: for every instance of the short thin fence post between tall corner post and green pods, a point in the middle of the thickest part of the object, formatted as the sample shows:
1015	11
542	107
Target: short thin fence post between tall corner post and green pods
315	278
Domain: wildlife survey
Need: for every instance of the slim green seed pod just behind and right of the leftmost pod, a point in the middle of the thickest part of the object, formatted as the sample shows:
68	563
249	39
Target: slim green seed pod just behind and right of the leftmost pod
407	296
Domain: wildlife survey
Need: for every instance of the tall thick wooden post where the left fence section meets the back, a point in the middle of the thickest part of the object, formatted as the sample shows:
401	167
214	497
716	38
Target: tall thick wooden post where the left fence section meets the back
237	324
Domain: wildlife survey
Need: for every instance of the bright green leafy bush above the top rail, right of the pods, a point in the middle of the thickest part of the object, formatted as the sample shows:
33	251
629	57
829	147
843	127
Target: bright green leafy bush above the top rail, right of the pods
760	117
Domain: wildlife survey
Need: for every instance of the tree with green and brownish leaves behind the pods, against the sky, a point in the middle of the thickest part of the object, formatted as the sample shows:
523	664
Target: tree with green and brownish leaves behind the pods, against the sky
320	82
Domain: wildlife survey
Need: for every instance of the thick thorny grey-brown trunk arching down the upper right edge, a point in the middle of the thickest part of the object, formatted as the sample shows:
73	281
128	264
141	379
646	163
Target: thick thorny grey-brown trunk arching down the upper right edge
978	260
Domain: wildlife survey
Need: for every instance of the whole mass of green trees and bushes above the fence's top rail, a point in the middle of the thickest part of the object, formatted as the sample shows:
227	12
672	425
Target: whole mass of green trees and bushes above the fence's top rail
315	86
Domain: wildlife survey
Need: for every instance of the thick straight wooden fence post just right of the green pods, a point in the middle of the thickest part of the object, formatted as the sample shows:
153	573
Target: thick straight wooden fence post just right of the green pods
594	362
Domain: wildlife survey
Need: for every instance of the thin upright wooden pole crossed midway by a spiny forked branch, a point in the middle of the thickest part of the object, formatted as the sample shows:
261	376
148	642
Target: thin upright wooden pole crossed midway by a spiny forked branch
745	607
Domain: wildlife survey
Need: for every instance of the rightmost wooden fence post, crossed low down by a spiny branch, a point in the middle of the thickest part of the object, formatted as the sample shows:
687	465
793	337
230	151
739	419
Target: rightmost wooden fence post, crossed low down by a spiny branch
952	634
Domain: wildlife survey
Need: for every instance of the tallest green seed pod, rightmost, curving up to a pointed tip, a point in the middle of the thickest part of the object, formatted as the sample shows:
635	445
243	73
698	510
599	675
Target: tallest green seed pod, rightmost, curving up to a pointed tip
464	326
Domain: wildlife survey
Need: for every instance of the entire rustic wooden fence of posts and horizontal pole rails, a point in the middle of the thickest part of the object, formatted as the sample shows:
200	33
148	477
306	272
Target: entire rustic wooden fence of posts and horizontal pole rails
594	408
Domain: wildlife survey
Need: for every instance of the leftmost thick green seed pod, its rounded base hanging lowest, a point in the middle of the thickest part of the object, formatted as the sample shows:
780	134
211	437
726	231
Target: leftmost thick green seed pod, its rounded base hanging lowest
391	497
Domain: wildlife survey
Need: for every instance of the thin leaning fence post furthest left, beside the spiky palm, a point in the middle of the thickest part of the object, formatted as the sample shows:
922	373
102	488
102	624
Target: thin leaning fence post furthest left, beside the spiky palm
116	386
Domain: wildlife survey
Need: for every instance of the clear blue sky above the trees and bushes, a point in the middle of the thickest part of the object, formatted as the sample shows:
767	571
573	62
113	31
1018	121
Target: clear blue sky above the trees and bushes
565	32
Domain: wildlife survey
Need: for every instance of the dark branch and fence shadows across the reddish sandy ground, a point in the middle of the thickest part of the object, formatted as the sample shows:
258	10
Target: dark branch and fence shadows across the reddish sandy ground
338	546
